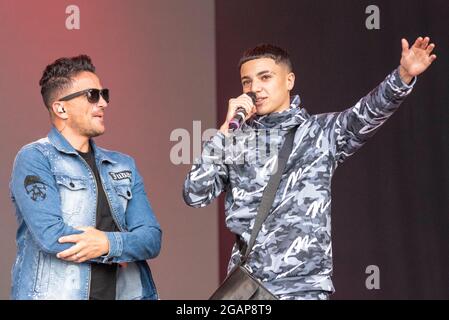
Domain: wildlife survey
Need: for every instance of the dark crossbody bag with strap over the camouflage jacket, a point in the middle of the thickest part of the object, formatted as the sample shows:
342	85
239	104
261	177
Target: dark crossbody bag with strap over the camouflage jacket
240	284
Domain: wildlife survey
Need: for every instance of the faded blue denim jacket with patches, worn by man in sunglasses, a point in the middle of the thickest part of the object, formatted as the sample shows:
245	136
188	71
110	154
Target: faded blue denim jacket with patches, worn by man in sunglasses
54	191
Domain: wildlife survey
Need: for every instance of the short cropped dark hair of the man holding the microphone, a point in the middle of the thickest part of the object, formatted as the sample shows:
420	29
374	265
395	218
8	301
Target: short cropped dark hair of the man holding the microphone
266	50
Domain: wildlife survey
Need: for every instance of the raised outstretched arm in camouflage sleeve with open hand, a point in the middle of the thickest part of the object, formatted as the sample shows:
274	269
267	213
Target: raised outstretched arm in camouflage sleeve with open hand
354	126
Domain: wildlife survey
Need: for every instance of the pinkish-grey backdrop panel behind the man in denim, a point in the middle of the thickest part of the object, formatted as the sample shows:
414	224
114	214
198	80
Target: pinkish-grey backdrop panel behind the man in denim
157	57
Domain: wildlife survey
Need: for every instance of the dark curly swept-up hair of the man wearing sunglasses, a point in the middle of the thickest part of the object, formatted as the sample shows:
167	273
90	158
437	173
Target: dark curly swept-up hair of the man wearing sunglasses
58	75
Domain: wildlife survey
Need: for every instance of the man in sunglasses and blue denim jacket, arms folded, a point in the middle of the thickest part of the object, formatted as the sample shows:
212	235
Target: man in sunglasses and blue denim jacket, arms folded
85	226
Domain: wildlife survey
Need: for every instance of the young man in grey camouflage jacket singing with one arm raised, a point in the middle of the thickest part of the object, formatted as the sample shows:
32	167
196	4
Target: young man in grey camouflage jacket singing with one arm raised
292	254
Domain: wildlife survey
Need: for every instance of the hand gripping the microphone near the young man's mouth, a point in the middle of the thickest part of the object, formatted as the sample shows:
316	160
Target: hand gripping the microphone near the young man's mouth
239	110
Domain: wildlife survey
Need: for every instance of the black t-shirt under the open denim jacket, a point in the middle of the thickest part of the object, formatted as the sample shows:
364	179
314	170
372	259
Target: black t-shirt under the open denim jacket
103	276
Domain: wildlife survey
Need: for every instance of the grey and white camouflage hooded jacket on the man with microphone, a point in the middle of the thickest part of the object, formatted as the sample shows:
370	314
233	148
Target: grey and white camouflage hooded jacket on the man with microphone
293	250
